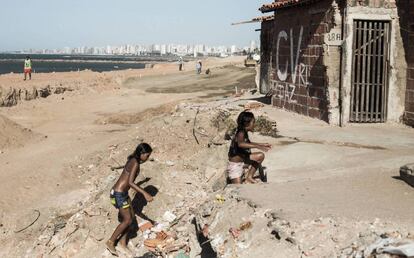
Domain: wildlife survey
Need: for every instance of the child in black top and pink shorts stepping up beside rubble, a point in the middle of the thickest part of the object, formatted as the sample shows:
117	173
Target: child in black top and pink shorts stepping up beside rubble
240	153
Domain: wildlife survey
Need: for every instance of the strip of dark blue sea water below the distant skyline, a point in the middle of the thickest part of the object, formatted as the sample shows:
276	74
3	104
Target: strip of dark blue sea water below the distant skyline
65	63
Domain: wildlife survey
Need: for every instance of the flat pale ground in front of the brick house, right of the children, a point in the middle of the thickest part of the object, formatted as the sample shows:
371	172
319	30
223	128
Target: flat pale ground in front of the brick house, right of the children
341	172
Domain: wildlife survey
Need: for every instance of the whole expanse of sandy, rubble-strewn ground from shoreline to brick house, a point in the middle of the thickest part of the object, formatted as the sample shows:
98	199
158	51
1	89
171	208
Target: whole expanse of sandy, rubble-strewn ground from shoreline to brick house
331	191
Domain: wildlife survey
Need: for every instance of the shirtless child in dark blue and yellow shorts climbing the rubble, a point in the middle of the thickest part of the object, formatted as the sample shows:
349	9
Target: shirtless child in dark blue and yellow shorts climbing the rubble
120	199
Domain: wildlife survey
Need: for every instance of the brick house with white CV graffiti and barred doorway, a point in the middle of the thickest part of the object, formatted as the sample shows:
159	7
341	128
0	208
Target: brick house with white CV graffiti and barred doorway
340	61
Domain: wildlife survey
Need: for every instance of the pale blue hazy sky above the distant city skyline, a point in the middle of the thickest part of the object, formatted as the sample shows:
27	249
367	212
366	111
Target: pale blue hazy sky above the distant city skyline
72	23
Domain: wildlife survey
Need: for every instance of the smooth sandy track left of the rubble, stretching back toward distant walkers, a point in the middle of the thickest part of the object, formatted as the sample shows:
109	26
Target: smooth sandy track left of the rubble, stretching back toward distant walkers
69	127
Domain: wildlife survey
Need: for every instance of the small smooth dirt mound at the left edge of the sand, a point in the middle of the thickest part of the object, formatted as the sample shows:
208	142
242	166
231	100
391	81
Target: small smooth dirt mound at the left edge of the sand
12	134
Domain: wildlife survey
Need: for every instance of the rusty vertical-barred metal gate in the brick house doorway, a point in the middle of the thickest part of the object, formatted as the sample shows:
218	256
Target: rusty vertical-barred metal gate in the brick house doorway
369	87
